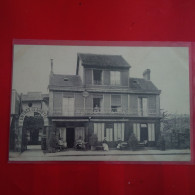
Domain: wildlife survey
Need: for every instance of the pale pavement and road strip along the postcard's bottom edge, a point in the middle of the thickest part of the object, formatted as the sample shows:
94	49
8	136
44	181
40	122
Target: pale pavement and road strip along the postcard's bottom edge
34	153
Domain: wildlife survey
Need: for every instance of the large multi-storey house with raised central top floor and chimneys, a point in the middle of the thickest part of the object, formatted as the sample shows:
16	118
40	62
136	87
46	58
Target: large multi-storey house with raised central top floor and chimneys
102	99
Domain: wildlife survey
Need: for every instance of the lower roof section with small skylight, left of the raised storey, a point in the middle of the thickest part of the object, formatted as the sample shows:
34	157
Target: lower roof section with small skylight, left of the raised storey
65	80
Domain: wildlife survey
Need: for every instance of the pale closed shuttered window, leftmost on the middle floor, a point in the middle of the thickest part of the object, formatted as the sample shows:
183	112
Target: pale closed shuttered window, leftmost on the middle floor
68	106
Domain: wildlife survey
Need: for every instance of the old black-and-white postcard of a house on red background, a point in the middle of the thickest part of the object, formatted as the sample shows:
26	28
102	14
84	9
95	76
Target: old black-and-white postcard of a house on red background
100	103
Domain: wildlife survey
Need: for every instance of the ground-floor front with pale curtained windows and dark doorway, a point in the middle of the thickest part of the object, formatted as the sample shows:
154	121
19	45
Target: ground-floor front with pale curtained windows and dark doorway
110	130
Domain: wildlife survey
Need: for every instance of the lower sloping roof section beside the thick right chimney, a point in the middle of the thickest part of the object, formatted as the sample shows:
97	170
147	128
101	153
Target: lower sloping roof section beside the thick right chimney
141	84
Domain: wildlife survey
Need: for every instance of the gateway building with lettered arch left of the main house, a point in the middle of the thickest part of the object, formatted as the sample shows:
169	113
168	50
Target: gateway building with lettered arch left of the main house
27	125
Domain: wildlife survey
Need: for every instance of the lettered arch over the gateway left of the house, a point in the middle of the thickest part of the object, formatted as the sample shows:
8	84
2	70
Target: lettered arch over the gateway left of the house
21	143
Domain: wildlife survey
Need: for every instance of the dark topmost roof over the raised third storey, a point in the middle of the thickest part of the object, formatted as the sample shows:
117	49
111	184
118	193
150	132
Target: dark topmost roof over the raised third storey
112	61
